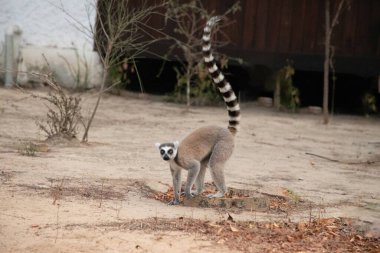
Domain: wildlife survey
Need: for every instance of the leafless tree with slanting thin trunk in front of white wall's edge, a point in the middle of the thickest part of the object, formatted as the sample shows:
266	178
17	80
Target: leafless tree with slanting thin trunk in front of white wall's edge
119	36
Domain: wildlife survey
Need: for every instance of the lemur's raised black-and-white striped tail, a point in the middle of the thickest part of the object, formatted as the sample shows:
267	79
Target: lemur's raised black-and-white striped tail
218	78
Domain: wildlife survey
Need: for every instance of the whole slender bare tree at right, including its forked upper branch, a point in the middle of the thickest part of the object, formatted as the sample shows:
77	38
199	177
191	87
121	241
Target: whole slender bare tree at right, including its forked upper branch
329	28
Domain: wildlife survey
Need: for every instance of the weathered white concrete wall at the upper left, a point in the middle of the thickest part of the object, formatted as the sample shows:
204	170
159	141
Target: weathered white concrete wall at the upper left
46	30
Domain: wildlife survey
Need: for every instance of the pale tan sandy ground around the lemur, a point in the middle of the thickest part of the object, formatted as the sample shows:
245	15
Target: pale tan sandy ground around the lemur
103	178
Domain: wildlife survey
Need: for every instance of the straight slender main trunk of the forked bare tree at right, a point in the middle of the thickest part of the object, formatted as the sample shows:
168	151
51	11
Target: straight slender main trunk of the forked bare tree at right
326	64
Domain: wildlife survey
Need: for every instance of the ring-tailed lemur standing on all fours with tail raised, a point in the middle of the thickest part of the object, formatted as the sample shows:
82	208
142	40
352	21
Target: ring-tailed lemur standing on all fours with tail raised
209	146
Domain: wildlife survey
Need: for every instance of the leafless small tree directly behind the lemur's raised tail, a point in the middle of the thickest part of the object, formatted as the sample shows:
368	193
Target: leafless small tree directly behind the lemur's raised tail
189	18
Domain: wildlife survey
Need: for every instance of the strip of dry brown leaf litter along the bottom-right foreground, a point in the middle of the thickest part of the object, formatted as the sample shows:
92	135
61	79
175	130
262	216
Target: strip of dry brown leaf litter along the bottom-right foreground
322	235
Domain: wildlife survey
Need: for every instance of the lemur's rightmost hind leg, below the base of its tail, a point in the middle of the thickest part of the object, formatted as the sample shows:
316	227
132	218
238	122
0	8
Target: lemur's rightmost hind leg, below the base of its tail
221	153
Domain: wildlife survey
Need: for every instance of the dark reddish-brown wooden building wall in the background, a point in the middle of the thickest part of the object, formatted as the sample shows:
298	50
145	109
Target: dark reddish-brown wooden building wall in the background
267	33
